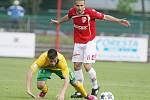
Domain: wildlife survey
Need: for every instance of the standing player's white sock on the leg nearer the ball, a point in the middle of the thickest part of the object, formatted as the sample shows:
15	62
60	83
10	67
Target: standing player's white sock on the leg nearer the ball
92	75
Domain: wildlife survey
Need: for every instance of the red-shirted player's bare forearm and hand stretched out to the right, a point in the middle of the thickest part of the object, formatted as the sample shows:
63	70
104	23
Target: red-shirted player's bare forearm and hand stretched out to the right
114	19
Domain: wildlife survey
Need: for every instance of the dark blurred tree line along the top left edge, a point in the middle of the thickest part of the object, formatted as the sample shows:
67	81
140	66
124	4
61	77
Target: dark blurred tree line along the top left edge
36	6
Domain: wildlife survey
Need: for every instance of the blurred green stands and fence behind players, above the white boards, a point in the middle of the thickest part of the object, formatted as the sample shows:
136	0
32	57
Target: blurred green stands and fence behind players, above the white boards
36	15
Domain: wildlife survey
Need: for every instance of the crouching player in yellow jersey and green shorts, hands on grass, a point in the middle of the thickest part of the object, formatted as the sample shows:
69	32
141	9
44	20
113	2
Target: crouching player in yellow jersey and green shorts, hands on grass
53	62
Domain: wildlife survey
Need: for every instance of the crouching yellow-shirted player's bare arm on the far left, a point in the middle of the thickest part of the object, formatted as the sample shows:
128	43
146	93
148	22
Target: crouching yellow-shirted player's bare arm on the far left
29	79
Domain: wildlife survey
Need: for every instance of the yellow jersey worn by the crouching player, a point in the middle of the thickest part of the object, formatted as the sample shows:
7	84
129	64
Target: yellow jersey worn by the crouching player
43	63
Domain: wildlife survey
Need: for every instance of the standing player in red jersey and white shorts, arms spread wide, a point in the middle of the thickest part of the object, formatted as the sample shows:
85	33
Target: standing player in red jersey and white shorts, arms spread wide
84	39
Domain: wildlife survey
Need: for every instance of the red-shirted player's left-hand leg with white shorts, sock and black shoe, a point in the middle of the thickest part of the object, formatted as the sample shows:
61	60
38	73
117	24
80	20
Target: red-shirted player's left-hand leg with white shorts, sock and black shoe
77	59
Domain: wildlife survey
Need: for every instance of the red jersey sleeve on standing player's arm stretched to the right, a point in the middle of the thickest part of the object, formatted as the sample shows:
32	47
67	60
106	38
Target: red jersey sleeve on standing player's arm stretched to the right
97	15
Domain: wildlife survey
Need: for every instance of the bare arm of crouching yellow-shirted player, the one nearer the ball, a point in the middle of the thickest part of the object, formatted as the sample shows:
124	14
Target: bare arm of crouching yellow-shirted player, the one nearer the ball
61	95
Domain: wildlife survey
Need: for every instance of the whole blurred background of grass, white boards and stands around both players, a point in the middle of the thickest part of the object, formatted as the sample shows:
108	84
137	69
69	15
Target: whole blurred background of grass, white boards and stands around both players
25	32
